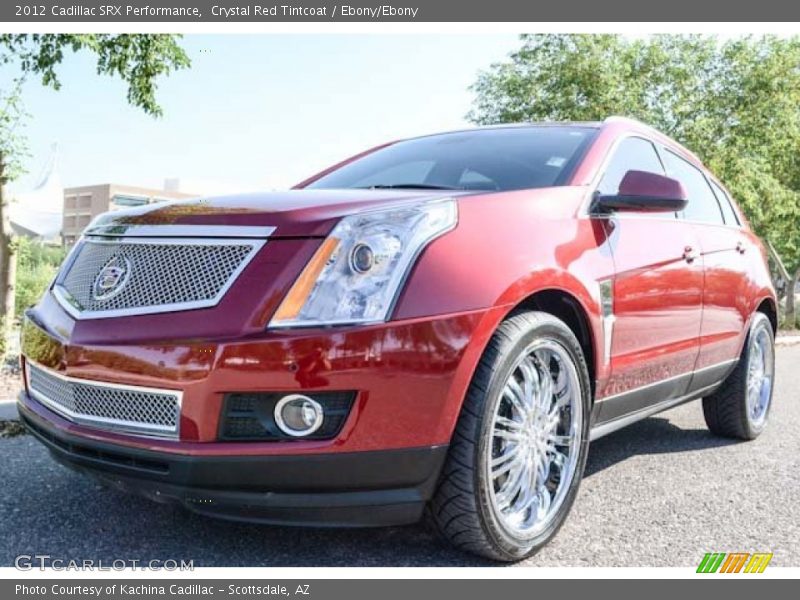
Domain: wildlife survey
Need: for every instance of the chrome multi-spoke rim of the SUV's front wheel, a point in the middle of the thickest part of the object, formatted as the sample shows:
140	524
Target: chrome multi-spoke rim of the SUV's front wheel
536	436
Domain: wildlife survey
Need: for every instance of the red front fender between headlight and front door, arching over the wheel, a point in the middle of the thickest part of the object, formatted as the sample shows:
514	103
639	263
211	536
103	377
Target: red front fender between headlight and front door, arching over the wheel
507	248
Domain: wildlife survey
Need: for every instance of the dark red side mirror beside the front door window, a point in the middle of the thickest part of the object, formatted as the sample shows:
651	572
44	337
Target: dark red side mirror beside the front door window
640	191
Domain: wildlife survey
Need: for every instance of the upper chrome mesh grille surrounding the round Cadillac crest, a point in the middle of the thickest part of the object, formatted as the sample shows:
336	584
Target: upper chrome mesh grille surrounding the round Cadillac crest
159	276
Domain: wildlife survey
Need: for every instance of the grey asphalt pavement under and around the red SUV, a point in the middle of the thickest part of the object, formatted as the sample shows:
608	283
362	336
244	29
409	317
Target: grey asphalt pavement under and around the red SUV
662	492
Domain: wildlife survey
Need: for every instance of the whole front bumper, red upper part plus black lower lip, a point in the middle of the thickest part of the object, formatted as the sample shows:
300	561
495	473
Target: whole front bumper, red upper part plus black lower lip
409	378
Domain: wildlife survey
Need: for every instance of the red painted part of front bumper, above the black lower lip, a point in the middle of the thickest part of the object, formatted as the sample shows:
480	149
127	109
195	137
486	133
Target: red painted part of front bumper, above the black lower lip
426	355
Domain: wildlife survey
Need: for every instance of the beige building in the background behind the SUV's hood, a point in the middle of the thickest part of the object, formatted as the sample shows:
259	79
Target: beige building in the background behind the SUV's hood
82	204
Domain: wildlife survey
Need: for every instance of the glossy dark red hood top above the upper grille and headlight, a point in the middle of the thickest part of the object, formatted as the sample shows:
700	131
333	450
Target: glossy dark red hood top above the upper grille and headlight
295	213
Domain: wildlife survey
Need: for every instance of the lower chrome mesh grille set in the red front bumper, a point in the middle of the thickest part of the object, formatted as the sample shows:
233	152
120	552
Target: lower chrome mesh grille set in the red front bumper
128	408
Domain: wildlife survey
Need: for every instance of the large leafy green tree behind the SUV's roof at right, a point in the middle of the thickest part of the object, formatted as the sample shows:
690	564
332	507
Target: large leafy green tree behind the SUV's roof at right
735	103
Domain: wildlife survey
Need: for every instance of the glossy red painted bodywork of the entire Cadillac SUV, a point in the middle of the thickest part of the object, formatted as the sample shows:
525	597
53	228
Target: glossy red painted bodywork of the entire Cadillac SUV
673	315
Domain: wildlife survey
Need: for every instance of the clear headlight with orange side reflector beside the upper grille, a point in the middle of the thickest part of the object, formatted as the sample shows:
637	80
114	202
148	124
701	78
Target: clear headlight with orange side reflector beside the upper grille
357	272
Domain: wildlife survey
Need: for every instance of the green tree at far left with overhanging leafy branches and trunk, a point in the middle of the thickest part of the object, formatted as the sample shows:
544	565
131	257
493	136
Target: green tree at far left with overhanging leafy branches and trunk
139	60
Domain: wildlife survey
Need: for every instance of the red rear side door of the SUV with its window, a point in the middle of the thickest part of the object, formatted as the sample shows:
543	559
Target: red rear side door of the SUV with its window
725	291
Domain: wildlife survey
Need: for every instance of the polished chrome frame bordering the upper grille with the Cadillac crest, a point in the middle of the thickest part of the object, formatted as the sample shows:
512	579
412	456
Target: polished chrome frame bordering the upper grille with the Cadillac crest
69	304
